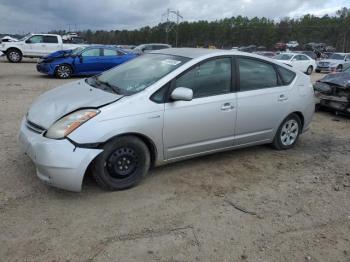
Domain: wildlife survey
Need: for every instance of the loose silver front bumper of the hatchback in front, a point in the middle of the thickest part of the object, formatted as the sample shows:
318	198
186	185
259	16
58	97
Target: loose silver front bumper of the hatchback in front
58	162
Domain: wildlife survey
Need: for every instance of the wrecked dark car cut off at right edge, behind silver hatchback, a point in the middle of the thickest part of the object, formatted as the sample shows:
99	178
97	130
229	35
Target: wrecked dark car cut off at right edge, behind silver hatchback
333	92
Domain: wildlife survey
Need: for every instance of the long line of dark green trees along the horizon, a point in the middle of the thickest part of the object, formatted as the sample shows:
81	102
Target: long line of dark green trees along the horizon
235	31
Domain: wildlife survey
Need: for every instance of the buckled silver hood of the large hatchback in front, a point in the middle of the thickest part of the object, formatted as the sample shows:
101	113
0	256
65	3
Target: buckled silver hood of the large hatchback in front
56	103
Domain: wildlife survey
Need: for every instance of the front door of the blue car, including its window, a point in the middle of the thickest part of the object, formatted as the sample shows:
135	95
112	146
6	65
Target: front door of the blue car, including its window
90	62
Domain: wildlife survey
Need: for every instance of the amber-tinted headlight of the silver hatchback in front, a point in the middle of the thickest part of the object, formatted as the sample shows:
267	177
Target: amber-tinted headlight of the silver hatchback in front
66	125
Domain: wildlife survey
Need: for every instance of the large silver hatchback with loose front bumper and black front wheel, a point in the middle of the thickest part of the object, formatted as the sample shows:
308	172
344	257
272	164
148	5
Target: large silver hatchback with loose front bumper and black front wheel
165	106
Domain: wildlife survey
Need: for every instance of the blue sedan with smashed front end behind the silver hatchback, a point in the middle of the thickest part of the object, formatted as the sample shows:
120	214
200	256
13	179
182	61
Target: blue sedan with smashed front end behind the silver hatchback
89	60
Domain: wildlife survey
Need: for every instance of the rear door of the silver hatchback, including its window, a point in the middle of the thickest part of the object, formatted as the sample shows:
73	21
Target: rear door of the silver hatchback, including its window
262	101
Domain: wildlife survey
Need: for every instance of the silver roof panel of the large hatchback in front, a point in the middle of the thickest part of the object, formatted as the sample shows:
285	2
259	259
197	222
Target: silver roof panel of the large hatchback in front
192	52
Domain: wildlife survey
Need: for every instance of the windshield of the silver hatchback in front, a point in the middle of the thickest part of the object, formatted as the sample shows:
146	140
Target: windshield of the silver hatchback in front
139	73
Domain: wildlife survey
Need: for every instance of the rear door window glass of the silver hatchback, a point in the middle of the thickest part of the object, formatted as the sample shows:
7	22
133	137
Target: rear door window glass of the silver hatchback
255	74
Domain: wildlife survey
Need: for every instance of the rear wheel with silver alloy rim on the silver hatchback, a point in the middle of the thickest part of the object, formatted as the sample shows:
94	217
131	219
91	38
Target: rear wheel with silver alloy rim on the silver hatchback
288	133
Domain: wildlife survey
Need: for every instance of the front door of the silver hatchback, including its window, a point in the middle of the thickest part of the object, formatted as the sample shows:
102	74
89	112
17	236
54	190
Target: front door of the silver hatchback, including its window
207	122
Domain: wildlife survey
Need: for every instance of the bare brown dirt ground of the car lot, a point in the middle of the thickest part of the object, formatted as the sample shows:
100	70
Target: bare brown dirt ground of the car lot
298	200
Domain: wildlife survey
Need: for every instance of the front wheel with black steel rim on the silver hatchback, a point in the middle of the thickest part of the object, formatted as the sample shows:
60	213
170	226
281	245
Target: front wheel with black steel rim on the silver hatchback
122	164
